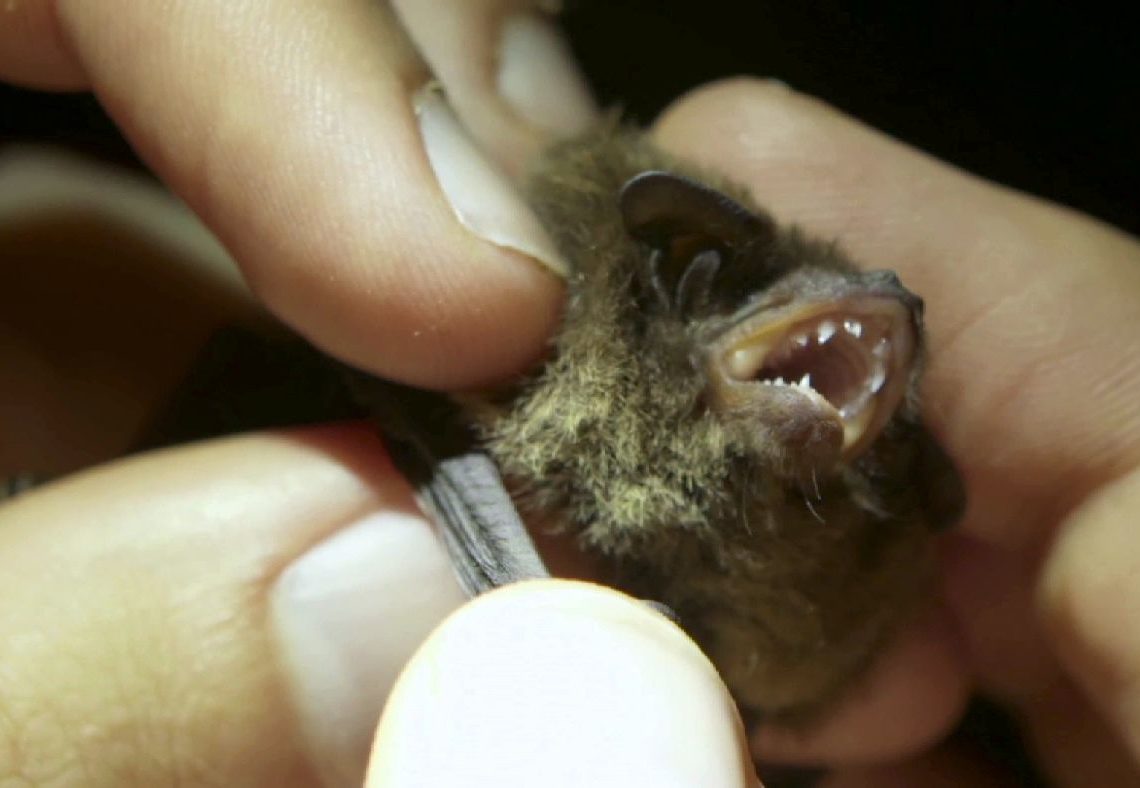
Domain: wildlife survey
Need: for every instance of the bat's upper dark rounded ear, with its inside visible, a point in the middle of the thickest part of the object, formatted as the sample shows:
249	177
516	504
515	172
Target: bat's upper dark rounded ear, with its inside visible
691	229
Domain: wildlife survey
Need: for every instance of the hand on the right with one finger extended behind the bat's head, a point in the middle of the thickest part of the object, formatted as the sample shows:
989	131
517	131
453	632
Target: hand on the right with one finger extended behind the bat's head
1033	315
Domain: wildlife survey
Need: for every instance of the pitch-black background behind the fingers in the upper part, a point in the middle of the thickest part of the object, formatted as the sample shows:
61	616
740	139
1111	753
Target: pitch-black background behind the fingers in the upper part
1040	98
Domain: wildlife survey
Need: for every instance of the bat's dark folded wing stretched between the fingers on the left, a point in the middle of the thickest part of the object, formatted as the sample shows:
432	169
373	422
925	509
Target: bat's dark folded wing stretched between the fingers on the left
246	380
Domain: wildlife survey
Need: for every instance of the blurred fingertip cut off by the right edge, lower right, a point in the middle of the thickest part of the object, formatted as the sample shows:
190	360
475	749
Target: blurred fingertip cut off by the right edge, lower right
1088	598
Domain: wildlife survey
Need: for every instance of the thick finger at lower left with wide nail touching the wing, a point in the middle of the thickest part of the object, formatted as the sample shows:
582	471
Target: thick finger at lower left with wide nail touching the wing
227	614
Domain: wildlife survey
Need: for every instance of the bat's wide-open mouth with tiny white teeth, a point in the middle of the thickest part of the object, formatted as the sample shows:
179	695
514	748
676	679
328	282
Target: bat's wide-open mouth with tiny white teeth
843	363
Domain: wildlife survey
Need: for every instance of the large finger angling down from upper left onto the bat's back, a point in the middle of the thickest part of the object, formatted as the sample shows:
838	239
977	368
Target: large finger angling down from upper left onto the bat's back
382	235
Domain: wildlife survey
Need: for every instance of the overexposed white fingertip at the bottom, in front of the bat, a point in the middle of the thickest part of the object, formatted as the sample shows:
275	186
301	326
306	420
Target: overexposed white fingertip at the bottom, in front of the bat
559	684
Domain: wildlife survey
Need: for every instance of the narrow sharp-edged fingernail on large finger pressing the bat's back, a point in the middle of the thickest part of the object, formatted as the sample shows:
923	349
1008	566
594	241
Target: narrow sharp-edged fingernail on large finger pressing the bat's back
482	196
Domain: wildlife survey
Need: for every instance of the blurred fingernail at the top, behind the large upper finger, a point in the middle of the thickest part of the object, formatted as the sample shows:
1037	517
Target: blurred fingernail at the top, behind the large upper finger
540	79
